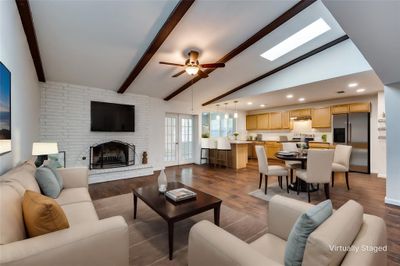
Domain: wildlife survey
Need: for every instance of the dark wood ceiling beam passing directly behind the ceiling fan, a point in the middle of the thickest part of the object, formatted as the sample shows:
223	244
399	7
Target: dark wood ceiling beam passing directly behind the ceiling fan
293	11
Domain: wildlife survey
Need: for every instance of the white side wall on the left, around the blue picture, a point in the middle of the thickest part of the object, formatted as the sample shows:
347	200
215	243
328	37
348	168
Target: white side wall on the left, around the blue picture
25	93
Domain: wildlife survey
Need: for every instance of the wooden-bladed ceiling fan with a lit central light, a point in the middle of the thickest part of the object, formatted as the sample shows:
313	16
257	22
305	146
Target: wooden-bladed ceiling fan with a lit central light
192	66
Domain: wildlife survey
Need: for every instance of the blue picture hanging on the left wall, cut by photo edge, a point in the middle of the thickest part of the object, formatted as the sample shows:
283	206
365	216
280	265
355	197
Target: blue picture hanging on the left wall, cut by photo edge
5	103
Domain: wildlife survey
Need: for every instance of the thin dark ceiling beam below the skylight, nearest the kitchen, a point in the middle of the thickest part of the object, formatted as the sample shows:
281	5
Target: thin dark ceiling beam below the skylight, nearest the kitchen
288	64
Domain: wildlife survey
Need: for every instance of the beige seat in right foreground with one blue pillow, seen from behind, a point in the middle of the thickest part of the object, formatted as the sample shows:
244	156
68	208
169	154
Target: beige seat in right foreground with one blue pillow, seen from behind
347	227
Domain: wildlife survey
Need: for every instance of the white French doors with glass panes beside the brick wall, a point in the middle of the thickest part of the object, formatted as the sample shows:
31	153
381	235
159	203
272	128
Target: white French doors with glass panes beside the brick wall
178	139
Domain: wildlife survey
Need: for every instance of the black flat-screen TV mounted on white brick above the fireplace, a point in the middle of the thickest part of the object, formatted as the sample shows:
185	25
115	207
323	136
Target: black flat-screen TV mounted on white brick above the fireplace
112	117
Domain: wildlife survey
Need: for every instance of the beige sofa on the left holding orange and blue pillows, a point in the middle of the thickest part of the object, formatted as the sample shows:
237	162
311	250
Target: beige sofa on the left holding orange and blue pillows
88	240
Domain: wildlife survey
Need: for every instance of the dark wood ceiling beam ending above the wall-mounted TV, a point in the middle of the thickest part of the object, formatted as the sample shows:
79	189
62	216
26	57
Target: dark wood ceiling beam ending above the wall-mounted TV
173	19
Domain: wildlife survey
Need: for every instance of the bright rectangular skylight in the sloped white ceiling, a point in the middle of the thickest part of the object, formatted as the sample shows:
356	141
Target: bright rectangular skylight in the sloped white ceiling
301	37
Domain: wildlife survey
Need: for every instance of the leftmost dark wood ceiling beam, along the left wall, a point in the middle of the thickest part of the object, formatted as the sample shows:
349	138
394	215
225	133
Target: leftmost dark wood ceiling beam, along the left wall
27	23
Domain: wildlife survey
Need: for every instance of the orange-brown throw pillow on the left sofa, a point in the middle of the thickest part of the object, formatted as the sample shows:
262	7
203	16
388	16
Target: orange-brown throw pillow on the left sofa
42	214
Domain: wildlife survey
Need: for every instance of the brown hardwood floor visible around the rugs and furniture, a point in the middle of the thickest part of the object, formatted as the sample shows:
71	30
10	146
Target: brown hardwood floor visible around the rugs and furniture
233	186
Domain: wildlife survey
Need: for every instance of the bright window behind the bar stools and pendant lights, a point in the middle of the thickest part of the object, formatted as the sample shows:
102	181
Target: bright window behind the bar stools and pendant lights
215	124
